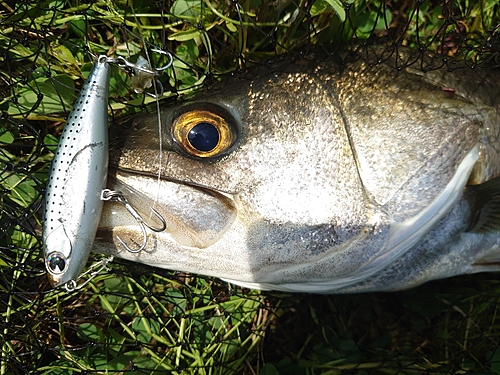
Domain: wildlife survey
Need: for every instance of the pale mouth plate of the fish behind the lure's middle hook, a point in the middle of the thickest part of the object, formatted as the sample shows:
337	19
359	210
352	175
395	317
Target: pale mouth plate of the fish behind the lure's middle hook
196	216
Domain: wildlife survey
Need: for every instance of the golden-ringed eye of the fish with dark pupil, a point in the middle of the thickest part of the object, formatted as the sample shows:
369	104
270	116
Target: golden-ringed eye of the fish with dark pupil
203	133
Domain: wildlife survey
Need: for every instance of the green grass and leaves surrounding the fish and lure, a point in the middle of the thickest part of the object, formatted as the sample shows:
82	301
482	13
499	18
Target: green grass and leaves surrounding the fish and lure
137	319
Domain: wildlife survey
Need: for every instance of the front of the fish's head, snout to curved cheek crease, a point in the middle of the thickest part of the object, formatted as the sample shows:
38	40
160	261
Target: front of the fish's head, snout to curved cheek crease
250	182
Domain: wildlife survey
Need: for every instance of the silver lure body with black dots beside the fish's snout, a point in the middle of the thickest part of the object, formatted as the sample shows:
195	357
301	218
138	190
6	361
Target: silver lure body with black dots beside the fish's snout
77	177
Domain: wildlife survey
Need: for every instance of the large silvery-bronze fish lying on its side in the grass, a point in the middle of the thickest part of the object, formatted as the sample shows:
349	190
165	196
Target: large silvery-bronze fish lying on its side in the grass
317	177
